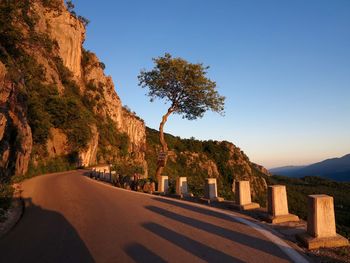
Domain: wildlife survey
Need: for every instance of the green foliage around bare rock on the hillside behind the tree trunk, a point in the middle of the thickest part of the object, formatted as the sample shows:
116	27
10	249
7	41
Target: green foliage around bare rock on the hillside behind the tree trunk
213	150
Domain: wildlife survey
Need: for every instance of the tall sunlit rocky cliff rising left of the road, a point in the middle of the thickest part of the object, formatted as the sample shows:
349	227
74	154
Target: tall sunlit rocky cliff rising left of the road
56	100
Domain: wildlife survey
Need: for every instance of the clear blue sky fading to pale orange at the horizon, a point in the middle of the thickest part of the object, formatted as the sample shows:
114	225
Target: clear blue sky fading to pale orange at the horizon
284	67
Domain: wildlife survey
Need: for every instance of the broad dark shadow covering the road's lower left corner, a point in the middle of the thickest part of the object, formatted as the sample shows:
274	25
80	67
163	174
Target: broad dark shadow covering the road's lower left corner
43	236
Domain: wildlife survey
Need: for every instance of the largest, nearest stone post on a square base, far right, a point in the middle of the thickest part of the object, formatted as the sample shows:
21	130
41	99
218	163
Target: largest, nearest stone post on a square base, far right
321	231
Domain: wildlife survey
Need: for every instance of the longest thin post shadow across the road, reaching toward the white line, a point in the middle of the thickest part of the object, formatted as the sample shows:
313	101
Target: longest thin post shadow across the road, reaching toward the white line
235	236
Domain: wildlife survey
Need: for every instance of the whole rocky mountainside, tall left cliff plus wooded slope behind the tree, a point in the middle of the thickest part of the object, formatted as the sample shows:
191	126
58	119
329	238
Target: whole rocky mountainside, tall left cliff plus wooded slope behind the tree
58	109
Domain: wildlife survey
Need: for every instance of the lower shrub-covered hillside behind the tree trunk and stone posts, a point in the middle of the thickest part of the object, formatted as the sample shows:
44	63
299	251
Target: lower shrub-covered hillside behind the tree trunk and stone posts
202	159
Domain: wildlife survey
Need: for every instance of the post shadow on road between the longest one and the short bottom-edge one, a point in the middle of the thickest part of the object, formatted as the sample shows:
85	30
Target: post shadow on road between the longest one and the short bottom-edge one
194	247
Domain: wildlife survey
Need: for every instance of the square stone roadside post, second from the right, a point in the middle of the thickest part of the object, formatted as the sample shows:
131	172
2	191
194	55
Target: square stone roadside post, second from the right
278	205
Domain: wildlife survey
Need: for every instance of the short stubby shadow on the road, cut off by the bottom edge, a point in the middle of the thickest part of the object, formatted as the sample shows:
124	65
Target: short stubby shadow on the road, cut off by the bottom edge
140	254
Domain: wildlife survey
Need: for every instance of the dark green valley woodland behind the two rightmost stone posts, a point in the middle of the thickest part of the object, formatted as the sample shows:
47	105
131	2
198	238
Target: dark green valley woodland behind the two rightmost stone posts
299	188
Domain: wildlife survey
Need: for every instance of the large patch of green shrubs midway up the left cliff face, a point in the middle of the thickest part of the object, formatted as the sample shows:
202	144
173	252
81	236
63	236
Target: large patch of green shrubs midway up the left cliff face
46	108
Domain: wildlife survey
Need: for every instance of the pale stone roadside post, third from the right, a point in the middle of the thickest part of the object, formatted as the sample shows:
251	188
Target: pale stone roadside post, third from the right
243	196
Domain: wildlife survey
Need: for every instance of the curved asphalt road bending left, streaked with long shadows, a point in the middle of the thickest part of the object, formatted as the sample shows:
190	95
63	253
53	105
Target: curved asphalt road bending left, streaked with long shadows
71	218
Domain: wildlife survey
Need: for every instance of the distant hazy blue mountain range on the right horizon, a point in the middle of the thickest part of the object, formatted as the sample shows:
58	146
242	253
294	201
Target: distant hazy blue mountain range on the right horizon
337	169
